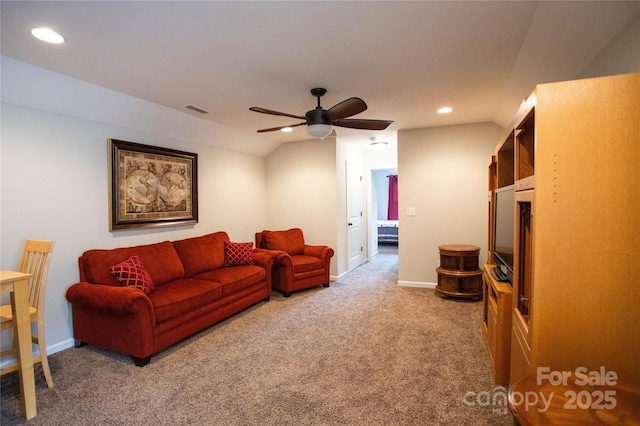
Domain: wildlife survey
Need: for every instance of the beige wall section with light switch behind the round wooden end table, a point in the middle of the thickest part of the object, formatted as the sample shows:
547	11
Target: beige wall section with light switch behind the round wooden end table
442	173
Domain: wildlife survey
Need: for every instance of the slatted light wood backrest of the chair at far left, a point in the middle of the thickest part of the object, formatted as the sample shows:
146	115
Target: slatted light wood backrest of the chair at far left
35	261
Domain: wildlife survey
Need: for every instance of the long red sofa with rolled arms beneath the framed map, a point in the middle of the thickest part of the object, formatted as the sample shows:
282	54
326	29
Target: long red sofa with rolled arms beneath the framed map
193	290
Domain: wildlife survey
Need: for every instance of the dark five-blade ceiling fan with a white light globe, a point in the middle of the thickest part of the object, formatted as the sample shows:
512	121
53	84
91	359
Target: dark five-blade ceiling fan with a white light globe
319	121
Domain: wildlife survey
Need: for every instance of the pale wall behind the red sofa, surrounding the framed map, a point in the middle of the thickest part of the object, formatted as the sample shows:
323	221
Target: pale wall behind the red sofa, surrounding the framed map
54	186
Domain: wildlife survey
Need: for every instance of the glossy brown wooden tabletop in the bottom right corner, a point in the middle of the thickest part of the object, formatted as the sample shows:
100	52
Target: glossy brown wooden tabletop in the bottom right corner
573	402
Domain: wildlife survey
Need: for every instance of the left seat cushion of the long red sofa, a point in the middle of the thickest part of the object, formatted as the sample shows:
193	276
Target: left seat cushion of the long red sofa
184	295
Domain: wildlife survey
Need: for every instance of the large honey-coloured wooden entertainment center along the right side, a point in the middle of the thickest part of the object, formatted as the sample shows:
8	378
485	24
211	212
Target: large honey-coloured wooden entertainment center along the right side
573	156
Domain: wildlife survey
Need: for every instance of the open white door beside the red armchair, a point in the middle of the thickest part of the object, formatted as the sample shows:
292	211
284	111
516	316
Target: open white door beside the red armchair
354	216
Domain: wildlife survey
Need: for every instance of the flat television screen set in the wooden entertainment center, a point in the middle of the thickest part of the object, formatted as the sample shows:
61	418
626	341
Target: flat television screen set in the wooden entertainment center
503	241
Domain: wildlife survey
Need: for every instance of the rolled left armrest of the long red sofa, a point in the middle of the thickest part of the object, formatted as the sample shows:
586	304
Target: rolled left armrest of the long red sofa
110	300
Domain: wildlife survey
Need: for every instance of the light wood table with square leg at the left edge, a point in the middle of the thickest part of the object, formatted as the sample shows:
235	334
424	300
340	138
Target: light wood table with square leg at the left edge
18	284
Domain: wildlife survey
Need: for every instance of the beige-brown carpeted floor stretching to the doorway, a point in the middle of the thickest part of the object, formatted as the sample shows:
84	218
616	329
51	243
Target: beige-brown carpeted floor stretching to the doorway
361	352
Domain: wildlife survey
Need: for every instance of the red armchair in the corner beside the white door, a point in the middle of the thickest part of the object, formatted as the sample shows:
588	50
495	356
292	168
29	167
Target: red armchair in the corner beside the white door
296	265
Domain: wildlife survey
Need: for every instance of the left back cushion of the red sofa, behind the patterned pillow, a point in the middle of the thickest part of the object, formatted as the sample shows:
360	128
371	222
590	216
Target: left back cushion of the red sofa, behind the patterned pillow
160	260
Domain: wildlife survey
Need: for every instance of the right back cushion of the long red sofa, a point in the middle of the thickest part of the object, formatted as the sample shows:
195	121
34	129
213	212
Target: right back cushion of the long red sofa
200	254
